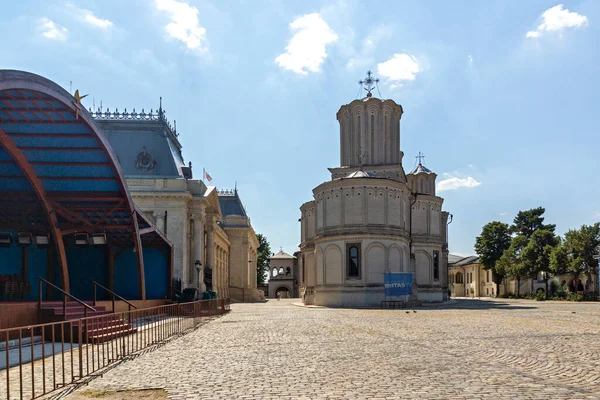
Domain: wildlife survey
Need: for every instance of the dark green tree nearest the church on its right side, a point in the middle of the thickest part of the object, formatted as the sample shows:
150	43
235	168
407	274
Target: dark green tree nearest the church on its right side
489	246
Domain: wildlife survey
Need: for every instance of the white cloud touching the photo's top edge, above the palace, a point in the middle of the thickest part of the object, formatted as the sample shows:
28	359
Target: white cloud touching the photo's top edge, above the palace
184	25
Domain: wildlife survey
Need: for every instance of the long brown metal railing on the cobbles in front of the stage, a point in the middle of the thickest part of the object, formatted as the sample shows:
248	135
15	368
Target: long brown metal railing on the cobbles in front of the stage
40	359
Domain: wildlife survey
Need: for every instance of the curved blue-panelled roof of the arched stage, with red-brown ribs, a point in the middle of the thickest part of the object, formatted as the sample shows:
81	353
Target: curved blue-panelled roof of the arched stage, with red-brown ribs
57	171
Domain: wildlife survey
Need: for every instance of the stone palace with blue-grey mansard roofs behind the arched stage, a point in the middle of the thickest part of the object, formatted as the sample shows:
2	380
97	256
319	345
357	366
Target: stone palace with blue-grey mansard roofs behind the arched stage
213	240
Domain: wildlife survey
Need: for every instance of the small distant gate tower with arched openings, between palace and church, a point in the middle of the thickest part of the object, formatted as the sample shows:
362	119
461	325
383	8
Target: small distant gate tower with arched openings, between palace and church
283	277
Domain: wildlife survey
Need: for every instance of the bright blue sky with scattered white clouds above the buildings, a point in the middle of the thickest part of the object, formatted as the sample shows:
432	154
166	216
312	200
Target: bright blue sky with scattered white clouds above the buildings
500	96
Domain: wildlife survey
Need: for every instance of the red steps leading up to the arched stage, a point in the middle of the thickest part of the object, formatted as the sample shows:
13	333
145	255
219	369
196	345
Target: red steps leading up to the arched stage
96	330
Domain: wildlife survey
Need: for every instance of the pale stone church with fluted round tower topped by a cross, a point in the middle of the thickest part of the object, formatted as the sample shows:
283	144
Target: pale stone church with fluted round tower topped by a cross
372	217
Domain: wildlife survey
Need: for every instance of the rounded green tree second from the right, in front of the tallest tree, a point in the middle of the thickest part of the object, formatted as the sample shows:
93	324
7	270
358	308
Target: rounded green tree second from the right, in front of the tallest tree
536	255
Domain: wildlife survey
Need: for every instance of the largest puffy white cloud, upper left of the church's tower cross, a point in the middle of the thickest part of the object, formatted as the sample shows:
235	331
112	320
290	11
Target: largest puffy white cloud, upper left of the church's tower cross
307	49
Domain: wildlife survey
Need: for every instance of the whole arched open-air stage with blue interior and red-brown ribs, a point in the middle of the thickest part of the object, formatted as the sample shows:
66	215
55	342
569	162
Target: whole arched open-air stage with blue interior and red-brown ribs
65	210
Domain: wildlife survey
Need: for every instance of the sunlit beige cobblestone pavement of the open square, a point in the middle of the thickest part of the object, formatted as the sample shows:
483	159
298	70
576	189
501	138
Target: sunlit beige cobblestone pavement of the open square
469	349
